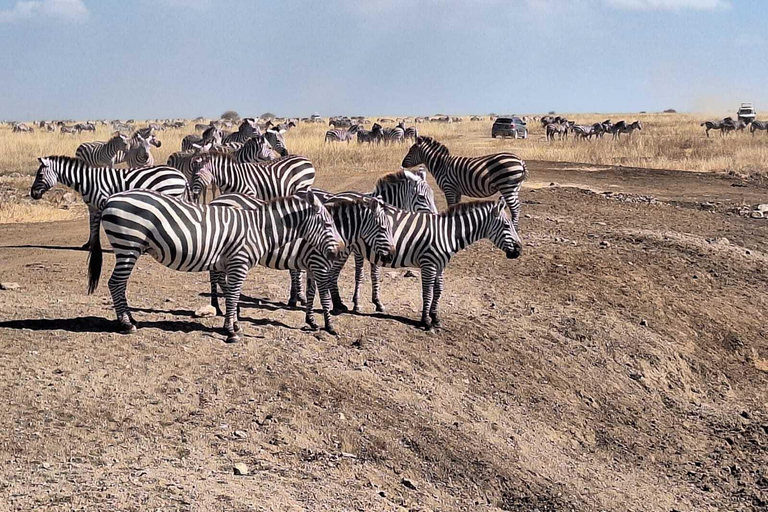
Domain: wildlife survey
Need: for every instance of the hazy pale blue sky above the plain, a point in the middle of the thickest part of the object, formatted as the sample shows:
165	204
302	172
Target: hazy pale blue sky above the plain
94	59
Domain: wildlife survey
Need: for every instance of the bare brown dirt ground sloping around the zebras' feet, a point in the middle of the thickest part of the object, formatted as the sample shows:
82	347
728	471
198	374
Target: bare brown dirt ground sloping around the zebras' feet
621	364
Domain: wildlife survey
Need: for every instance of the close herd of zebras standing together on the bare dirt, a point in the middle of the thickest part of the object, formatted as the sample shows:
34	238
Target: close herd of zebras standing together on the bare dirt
270	214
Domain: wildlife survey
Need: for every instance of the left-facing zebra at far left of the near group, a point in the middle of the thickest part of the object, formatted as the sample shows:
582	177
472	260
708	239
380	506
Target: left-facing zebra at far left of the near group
97	184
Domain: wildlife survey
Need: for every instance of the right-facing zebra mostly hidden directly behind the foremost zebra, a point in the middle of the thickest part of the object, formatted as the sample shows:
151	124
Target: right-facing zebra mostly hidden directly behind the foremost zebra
358	218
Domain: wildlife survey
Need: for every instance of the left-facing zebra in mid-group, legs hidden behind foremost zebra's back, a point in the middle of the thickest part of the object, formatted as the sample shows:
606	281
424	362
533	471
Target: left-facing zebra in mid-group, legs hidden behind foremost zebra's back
281	177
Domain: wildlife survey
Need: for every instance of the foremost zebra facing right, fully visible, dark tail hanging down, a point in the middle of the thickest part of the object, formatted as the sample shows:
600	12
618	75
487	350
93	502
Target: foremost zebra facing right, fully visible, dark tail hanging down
192	238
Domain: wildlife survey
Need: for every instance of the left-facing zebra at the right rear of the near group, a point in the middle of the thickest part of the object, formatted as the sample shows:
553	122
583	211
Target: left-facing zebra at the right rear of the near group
479	177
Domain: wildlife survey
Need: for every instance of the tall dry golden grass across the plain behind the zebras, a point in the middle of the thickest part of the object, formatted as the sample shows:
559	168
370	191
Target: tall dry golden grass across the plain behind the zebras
667	141
